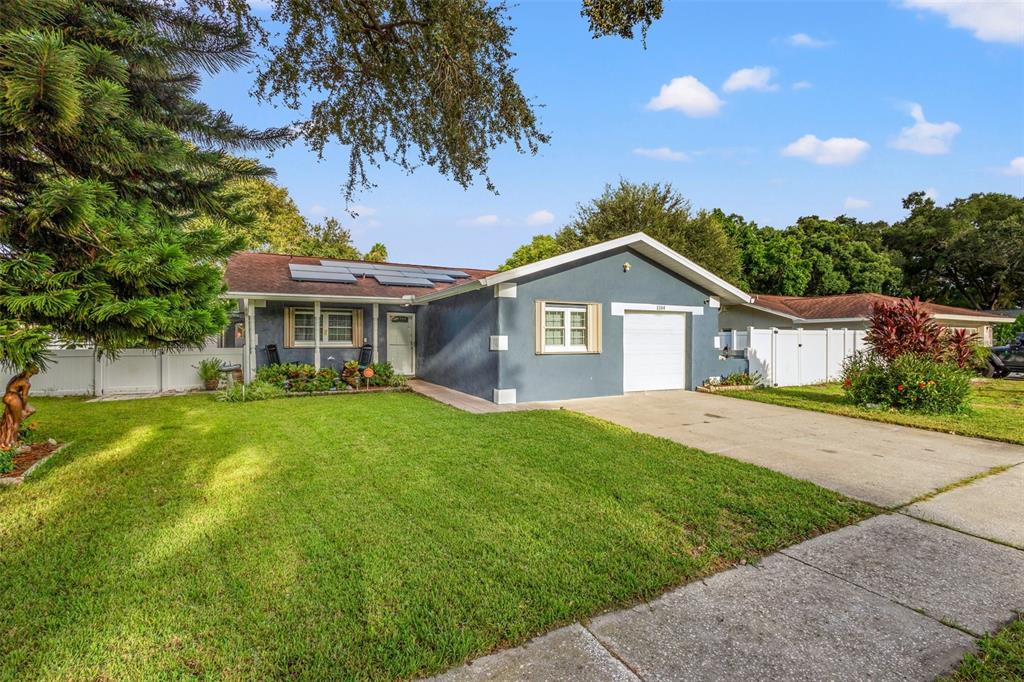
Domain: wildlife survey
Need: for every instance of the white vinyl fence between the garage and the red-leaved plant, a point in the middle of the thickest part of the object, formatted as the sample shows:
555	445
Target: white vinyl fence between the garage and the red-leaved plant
796	357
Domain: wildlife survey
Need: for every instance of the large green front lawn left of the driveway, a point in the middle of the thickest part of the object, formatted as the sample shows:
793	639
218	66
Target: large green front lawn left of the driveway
377	536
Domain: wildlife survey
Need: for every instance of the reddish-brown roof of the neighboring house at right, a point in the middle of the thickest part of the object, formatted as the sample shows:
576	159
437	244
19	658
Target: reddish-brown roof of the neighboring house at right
857	307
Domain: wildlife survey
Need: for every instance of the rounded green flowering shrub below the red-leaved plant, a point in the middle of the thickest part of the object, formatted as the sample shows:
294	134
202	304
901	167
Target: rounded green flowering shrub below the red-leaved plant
908	382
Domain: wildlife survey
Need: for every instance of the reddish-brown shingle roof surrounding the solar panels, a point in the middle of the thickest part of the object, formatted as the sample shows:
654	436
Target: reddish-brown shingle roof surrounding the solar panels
269	274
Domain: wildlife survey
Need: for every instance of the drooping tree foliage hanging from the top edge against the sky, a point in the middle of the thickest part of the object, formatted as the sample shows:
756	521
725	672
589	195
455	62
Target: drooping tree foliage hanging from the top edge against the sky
409	82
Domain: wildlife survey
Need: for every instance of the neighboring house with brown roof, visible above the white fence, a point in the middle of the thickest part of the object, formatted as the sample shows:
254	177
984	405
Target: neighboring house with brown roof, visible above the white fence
844	312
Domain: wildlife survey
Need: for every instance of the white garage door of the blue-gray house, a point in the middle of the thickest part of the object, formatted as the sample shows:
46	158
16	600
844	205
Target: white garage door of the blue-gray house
655	351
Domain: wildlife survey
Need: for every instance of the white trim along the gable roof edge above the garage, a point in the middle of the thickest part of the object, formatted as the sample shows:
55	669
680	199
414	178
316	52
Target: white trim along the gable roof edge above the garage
642	243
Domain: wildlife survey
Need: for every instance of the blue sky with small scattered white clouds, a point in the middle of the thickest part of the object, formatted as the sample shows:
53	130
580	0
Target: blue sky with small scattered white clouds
837	108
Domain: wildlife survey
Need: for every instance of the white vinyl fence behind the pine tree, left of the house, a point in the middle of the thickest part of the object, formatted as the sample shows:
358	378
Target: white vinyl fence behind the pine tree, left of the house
136	371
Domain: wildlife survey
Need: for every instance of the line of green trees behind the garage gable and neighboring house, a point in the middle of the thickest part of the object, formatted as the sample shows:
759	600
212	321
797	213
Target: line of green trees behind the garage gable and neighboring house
968	253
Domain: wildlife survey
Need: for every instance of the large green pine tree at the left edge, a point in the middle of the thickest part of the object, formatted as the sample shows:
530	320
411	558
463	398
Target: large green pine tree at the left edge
106	158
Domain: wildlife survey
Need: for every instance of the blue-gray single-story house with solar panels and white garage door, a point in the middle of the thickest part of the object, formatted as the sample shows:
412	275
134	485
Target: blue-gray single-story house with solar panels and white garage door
627	315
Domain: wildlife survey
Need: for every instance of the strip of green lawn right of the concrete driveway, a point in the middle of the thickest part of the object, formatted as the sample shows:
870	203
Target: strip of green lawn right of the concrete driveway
998	409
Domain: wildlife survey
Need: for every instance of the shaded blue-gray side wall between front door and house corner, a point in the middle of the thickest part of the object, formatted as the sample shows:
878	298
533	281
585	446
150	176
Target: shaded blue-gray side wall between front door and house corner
453	346
